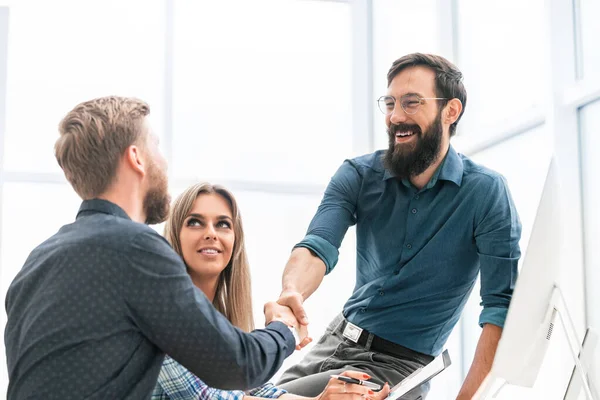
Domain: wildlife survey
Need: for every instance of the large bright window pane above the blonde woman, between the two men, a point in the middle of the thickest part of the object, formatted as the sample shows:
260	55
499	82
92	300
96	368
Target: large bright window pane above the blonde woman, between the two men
264	93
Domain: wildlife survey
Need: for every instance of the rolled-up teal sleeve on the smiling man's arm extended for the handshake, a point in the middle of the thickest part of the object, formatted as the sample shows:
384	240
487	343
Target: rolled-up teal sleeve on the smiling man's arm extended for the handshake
336	213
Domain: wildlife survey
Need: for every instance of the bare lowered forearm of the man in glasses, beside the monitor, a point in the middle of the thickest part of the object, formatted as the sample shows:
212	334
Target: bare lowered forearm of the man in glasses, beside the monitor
482	362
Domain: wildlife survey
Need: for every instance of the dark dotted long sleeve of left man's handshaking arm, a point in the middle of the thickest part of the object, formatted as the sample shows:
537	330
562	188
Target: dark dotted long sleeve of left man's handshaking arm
176	316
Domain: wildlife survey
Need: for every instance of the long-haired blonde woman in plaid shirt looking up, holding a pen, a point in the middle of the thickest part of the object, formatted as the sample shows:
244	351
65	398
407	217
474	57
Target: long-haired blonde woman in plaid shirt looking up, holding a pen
205	229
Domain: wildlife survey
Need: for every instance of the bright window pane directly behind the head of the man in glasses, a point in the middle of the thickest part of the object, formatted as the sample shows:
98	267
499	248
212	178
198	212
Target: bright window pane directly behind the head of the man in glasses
398	30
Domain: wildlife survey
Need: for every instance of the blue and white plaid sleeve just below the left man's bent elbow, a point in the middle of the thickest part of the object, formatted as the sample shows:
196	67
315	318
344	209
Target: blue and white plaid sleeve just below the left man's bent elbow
175	382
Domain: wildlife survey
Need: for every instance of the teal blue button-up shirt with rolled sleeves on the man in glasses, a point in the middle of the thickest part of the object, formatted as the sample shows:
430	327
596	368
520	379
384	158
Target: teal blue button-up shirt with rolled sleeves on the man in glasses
419	251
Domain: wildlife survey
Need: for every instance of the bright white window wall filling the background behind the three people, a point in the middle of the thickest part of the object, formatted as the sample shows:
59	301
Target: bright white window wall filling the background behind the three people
264	96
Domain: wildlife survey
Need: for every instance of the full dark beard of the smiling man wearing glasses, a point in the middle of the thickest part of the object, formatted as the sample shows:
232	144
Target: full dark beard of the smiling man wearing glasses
408	160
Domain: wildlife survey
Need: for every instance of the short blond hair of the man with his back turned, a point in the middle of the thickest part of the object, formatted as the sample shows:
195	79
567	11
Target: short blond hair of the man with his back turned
94	136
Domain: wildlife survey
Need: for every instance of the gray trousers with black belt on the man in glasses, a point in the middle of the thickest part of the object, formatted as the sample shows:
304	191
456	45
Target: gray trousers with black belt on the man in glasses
334	353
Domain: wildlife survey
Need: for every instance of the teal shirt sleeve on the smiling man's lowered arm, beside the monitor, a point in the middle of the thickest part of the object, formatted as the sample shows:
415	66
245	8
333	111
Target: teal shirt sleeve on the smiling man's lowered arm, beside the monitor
497	236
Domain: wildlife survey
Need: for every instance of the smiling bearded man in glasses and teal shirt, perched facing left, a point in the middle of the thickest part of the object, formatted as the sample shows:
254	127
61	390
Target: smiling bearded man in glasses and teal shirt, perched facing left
428	221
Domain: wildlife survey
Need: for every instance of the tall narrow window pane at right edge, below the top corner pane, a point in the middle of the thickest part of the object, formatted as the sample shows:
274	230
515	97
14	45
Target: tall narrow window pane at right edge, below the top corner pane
590	143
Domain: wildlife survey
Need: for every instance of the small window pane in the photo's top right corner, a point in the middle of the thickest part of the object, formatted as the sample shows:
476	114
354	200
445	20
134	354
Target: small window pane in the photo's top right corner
590	29
